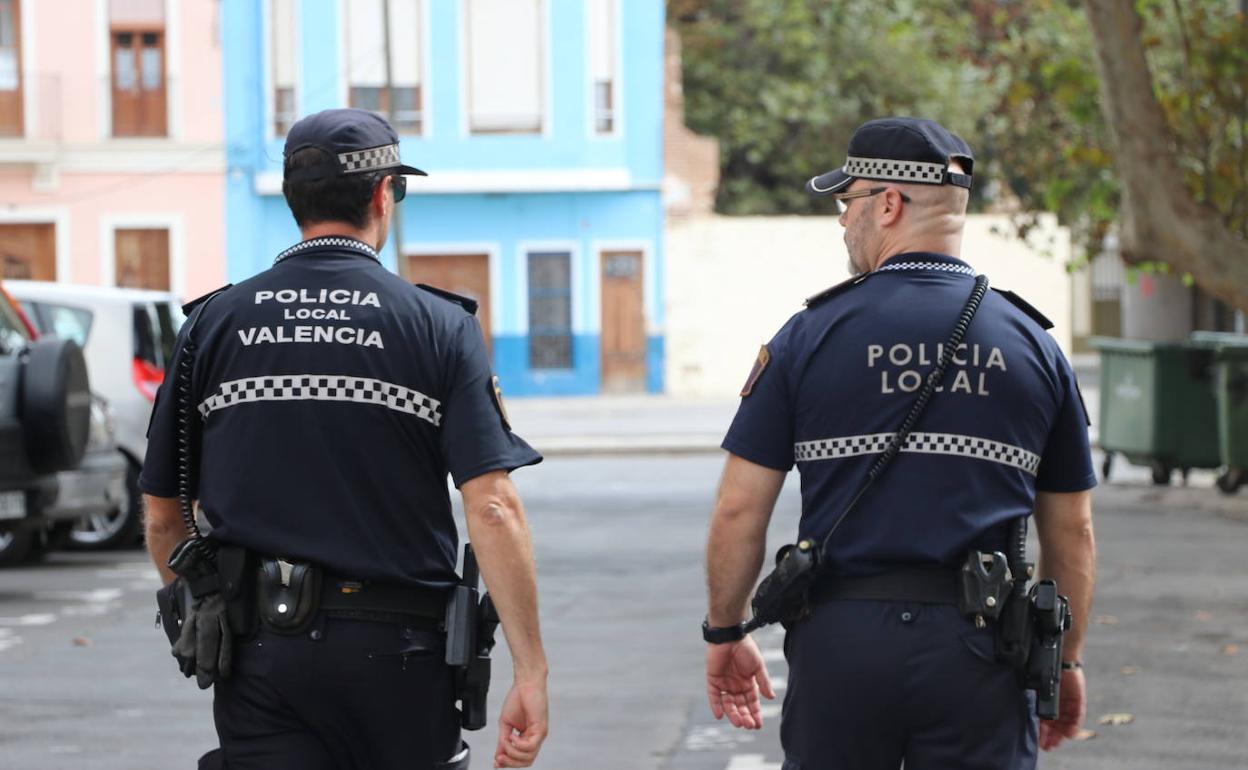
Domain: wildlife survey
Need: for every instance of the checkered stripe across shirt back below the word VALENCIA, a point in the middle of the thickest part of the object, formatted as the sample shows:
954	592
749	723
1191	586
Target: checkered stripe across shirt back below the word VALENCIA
324	387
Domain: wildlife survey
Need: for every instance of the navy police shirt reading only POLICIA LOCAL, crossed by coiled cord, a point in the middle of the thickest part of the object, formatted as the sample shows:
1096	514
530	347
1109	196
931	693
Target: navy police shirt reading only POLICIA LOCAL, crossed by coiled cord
839	379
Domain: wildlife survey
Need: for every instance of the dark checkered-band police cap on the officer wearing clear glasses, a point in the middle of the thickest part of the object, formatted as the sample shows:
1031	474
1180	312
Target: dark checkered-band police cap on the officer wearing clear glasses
899	150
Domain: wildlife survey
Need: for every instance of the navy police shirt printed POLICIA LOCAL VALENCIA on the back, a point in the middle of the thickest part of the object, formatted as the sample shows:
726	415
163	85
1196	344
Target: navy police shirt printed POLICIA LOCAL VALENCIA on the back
335	399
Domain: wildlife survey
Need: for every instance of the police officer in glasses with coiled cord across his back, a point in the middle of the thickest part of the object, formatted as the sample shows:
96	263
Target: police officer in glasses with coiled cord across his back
903	677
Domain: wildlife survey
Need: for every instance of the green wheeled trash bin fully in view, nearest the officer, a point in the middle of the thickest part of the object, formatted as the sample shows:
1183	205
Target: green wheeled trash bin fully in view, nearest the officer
1159	406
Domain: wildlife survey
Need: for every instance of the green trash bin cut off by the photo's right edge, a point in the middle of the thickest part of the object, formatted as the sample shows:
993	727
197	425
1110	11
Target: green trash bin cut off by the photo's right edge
1232	395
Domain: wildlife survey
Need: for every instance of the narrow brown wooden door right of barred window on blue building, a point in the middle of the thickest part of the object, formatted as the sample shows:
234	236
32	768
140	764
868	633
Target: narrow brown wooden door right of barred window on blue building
623	340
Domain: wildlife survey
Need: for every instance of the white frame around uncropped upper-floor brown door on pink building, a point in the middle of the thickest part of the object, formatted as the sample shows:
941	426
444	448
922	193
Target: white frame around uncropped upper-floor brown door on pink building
173	73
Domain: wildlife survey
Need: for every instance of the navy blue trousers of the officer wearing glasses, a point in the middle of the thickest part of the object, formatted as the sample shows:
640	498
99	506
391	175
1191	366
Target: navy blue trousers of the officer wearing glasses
875	685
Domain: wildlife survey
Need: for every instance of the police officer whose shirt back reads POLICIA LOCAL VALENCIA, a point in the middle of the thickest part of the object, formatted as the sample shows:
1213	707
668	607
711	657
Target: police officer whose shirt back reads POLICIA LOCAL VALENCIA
331	401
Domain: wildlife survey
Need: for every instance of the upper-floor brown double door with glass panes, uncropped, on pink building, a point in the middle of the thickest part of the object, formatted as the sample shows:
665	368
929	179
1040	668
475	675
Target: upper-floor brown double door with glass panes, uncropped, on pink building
139	100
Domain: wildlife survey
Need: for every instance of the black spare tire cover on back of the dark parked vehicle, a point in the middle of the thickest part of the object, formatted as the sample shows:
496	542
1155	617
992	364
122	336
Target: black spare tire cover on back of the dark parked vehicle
56	405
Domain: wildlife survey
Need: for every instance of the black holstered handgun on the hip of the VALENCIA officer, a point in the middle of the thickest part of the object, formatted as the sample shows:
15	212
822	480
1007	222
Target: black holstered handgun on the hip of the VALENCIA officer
471	625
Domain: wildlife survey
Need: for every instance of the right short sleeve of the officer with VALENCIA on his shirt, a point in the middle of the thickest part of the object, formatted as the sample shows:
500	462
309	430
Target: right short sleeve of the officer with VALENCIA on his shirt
476	437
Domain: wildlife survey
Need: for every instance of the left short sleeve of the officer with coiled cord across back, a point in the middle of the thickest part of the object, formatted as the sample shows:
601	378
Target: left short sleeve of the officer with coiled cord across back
763	431
